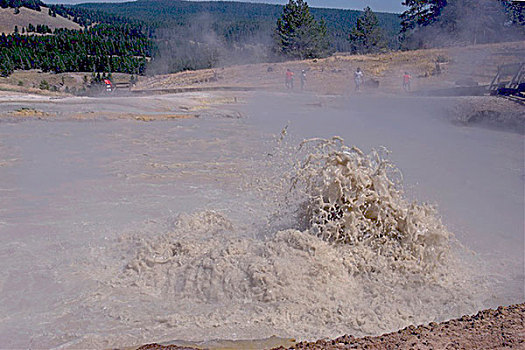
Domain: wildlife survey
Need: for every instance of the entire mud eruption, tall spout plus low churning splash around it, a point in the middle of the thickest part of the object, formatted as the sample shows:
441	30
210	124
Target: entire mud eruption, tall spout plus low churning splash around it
361	259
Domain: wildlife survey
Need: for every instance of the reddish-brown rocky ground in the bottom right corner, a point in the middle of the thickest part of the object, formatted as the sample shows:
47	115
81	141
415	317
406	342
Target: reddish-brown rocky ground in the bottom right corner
501	328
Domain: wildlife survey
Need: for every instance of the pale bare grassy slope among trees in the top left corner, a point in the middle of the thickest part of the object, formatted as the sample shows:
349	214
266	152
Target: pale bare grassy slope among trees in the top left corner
8	20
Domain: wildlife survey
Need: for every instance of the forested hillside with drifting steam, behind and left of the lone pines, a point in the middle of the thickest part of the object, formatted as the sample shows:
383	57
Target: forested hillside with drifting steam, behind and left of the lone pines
178	35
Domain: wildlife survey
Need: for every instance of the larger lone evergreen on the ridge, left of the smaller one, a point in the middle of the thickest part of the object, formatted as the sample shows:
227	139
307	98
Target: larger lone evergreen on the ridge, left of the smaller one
299	35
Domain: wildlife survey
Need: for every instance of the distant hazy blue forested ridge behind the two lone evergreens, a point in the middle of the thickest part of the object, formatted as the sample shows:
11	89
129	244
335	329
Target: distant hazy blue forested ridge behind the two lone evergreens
237	21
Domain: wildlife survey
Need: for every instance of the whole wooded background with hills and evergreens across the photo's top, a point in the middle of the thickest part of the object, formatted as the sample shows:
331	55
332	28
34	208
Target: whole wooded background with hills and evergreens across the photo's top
166	36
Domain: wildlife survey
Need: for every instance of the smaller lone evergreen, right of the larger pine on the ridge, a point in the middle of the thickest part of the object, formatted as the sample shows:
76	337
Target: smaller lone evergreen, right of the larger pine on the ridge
367	36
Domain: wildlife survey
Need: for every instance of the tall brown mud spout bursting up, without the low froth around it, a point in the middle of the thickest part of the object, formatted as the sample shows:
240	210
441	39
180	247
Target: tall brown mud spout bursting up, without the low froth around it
357	200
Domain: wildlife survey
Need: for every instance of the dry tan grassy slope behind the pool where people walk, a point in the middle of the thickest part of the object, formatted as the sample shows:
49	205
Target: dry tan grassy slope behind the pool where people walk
334	75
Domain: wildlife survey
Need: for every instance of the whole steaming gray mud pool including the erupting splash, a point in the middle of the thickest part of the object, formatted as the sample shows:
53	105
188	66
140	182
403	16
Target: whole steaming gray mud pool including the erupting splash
120	232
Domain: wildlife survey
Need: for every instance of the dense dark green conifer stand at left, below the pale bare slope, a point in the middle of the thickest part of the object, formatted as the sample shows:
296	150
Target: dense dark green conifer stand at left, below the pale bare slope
103	48
